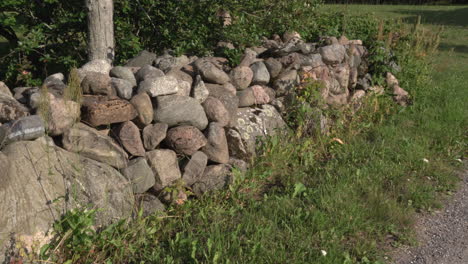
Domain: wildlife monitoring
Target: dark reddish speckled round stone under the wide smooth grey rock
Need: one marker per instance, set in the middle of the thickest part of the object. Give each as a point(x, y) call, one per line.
point(185, 139)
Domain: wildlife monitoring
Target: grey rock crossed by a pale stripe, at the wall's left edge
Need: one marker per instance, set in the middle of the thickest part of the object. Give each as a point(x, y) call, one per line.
point(24, 128)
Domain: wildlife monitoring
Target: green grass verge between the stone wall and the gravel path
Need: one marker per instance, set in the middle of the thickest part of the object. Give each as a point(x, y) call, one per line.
point(314, 200)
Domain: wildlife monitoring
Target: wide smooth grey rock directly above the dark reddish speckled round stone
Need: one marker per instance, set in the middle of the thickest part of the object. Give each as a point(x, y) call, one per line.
point(180, 110)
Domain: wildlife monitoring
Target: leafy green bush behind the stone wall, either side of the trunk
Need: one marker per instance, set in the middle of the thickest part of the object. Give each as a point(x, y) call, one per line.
point(53, 33)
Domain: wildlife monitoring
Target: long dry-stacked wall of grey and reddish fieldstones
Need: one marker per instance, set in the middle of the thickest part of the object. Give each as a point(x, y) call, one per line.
point(157, 122)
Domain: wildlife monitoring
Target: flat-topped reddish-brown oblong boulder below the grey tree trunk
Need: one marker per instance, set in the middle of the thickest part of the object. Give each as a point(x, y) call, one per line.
point(98, 110)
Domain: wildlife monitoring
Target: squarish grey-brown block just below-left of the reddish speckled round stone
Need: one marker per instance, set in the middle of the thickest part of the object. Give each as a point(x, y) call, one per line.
point(165, 167)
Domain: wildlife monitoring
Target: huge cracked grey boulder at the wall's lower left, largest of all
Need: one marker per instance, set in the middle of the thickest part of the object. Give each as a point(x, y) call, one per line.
point(40, 182)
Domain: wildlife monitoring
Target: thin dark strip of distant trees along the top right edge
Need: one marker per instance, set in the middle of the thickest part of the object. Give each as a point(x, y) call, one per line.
point(398, 2)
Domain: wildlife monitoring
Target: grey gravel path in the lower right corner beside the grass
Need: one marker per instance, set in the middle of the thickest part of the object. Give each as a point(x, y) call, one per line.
point(443, 236)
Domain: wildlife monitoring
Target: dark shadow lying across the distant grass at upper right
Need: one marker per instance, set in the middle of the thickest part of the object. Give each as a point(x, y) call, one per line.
point(455, 17)
